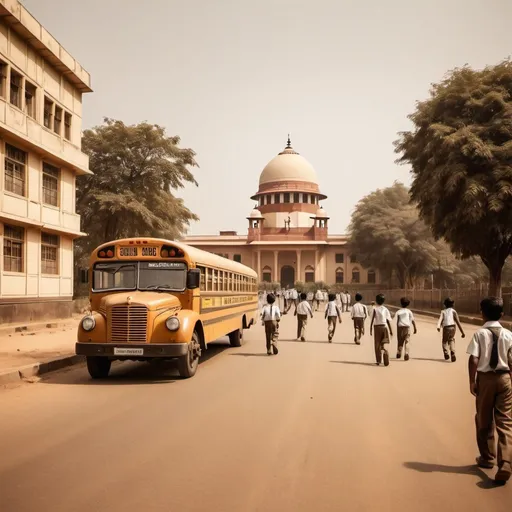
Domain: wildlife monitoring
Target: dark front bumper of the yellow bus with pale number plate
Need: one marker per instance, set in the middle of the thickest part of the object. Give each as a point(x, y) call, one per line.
point(132, 350)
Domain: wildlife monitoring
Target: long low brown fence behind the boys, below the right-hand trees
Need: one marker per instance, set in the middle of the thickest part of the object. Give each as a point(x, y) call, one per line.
point(466, 300)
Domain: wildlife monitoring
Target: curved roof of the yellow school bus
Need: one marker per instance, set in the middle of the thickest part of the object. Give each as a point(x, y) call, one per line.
point(198, 255)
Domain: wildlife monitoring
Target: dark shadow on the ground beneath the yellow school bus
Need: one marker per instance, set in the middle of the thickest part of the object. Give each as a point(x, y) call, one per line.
point(131, 372)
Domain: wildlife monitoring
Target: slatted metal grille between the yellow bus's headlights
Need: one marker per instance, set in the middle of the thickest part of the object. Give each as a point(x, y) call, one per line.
point(128, 324)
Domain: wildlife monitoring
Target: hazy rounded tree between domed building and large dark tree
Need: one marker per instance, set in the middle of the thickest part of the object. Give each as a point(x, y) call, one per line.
point(387, 233)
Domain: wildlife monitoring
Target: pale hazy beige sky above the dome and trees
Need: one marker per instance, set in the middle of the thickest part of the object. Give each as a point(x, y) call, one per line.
point(233, 77)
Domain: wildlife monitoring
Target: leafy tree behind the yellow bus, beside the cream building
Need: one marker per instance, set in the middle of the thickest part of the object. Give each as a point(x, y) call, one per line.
point(135, 169)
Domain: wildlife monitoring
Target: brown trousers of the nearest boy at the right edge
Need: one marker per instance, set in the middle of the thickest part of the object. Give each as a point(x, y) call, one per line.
point(494, 412)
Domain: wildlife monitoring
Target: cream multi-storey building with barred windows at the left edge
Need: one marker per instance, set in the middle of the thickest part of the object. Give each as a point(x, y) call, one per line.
point(41, 87)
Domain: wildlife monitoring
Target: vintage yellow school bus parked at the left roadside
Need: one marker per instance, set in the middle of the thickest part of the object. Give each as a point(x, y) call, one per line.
point(158, 299)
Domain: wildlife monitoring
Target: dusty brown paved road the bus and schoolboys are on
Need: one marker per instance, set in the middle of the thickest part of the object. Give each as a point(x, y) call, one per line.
point(316, 428)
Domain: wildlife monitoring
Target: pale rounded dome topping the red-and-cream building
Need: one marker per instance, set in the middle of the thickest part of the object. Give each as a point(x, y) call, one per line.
point(288, 166)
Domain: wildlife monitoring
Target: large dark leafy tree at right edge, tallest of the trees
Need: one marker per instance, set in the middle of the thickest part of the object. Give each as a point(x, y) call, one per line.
point(460, 152)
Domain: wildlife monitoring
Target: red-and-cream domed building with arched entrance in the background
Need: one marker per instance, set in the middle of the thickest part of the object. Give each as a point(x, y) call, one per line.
point(288, 236)
